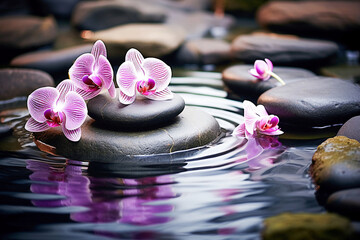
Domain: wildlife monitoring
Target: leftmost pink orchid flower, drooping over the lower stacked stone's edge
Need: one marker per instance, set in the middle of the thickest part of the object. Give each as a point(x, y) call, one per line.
point(61, 106)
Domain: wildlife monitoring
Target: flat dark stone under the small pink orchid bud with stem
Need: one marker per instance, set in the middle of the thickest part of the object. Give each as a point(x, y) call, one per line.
point(239, 81)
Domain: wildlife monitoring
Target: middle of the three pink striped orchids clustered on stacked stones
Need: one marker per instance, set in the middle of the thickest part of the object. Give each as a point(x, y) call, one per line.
point(92, 72)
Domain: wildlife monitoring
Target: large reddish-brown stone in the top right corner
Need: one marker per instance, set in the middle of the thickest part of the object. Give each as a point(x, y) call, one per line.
point(336, 20)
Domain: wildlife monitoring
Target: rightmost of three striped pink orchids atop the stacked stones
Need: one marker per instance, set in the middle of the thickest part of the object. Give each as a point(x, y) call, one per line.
point(149, 77)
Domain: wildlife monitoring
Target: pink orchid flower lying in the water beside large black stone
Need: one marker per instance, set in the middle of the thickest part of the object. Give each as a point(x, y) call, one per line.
point(257, 121)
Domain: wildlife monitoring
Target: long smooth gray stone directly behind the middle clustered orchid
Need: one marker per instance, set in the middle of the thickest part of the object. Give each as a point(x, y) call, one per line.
point(54, 62)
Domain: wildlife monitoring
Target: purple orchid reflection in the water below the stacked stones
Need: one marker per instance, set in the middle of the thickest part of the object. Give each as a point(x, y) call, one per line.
point(107, 199)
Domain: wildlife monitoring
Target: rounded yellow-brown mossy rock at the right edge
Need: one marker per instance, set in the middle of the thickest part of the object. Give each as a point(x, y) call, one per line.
point(336, 164)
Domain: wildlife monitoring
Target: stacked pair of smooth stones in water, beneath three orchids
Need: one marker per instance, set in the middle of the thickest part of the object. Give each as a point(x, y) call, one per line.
point(117, 132)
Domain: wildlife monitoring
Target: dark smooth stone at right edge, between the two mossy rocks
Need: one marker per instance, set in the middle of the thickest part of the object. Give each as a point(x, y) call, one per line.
point(345, 202)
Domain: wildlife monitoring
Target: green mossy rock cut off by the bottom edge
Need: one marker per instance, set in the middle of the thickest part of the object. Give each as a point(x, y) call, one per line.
point(307, 226)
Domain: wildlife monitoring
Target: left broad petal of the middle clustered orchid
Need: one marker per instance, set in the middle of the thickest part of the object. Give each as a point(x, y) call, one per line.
point(82, 66)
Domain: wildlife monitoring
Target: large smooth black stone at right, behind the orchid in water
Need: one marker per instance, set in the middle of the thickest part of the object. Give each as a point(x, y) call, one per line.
point(317, 101)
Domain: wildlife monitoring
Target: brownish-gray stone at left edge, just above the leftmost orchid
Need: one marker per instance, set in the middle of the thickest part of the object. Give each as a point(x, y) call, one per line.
point(17, 82)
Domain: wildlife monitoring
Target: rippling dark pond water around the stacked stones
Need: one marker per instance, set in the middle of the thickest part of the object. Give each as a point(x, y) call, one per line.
point(220, 191)
